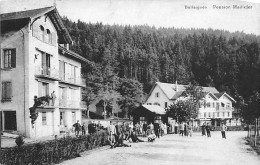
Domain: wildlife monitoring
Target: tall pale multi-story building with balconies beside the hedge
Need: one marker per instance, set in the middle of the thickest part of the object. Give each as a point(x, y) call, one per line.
point(36, 61)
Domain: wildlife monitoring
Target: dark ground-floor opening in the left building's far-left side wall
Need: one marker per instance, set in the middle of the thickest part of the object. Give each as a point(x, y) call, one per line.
point(10, 120)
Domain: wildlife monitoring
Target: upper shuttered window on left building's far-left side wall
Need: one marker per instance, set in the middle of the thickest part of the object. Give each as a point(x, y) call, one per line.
point(9, 58)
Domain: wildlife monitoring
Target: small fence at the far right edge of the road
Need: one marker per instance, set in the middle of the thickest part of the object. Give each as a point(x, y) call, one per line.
point(253, 134)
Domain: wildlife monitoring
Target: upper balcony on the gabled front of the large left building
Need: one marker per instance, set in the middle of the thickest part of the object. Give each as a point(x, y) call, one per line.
point(46, 72)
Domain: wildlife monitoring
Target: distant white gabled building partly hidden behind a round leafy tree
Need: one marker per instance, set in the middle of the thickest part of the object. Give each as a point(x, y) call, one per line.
point(214, 107)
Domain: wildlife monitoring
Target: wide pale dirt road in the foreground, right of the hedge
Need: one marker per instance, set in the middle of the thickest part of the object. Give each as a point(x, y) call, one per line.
point(177, 150)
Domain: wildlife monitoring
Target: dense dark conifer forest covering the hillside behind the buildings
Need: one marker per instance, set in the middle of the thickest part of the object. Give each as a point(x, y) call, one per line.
point(144, 54)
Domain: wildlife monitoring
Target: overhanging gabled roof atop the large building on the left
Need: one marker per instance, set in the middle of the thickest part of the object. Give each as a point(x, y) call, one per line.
point(34, 14)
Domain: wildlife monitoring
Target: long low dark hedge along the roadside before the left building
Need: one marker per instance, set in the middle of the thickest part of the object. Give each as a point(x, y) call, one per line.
point(54, 151)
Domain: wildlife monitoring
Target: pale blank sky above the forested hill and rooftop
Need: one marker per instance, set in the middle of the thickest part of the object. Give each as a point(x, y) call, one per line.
point(158, 13)
